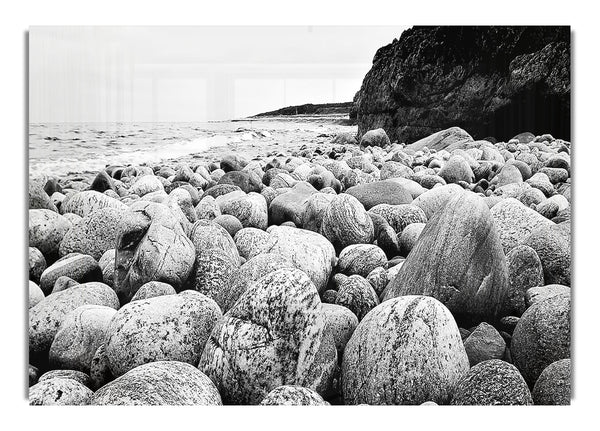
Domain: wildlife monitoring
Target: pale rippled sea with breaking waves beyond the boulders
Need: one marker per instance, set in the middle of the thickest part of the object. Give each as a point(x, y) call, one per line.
point(63, 149)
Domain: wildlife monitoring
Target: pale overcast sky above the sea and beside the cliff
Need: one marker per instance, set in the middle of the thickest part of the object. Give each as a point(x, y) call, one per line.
point(123, 74)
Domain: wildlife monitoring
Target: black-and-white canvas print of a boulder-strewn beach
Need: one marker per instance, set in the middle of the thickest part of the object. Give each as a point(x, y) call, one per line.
point(300, 215)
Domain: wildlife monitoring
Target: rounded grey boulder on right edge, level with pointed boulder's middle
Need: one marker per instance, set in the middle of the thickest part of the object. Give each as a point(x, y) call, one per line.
point(552, 243)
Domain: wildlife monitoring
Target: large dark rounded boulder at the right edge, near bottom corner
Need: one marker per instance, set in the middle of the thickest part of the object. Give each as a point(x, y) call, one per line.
point(542, 336)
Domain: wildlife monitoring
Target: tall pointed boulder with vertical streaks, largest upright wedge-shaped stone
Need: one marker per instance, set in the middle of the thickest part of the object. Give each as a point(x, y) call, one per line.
point(472, 288)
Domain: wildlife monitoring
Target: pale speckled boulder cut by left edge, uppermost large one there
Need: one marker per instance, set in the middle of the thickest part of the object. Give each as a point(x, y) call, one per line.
point(46, 230)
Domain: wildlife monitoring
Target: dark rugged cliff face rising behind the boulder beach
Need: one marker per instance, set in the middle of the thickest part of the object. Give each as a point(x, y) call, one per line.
point(490, 81)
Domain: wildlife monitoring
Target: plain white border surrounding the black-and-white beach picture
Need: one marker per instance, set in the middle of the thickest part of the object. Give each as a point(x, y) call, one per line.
point(18, 16)
